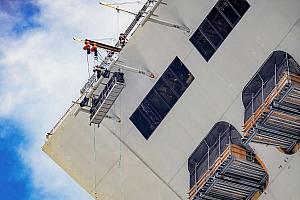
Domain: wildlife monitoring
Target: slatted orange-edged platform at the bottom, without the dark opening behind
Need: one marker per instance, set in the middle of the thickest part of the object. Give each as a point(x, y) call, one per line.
point(237, 177)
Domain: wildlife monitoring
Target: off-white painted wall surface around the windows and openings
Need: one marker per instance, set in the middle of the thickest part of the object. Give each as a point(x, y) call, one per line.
point(157, 168)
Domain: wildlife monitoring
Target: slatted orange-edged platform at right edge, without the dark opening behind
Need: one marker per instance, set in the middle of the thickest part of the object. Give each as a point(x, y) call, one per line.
point(277, 122)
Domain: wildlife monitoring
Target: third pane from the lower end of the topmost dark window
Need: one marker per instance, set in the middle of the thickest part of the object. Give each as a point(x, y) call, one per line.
point(219, 22)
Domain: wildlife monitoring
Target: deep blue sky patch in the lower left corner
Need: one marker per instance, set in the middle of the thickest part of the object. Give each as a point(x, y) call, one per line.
point(14, 176)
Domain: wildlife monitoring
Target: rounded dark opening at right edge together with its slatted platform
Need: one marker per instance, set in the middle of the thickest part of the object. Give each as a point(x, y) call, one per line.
point(272, 104)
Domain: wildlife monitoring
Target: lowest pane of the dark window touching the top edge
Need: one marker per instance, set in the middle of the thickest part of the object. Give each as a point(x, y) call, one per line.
point(202, 45)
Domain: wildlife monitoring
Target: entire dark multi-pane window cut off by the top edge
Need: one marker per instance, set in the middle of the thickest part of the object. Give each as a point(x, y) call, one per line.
point(217, 25)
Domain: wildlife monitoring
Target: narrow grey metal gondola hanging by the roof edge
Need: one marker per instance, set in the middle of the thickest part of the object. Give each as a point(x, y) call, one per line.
point(102, 104)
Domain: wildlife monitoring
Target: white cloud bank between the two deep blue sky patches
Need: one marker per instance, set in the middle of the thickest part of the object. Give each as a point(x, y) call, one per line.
point(42, 71)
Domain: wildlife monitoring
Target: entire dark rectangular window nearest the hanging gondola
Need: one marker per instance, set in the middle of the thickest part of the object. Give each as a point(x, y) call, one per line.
point(161, 98)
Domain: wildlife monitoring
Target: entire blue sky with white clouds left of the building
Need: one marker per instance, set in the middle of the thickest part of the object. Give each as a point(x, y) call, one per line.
point(41, 73)
